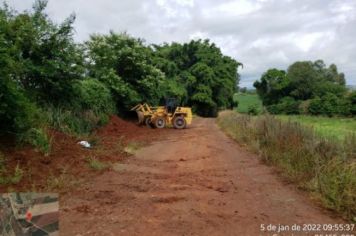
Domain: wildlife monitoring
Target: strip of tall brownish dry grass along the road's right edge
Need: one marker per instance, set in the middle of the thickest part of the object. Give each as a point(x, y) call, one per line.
point(320, 165)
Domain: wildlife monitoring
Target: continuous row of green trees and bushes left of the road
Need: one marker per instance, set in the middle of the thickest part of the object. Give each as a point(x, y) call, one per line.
point(49, 80)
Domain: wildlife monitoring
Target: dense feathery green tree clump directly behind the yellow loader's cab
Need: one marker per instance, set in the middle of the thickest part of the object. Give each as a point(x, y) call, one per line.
point(206, 79)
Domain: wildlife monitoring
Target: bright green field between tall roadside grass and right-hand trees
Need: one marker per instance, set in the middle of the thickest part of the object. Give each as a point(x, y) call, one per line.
point(331, 127)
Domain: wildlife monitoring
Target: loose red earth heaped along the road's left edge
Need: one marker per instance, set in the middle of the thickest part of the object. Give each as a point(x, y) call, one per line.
point(69, 159)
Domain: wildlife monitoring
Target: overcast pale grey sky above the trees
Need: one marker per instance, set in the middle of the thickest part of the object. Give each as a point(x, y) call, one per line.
point(259, 33)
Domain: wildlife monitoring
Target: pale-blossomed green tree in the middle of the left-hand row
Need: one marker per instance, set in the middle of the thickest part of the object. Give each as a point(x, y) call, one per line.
point(124, 64)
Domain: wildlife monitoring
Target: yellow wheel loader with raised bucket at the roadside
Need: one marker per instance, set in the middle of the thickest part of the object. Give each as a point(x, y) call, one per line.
point(163, 116)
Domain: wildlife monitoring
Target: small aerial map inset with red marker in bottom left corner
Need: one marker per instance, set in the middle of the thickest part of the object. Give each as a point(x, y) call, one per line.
point(27, 214)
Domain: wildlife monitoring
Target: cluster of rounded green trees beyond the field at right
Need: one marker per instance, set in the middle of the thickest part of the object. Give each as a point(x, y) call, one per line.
point(306, 88)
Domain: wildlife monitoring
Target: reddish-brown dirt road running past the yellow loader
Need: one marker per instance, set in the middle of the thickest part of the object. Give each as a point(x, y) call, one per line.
point(195, 182)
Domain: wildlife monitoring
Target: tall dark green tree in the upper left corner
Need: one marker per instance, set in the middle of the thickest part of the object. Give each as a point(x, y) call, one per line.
point(45, 59)
